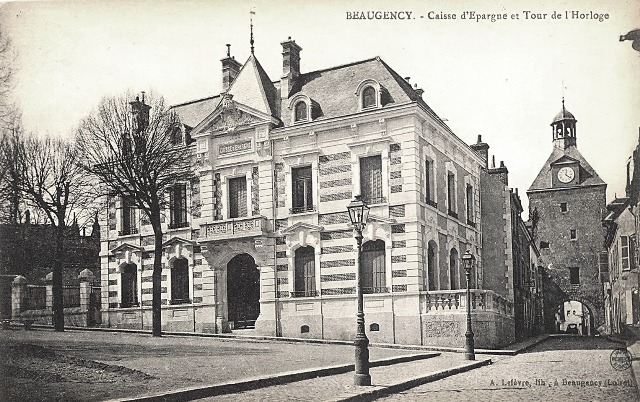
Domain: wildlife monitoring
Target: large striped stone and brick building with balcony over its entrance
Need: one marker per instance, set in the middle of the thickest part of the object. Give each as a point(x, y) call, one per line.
point(261, 238)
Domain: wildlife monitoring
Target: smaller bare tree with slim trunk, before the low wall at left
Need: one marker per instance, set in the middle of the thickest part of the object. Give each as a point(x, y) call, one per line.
point(50, 179)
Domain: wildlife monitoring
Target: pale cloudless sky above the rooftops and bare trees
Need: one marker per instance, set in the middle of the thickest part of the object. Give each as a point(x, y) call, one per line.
point(503, 80)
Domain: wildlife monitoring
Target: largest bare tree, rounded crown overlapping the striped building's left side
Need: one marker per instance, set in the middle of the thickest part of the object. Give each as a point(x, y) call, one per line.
point(131, 148)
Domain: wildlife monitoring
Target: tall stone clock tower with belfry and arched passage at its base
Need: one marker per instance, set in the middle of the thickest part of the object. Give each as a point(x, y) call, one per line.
point(566, 201)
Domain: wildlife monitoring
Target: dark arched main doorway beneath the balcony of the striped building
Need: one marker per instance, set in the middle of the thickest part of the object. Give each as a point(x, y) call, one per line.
point(243, 291)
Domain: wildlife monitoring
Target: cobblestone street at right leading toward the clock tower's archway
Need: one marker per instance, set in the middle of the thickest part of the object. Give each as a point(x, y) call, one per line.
point(560, 369)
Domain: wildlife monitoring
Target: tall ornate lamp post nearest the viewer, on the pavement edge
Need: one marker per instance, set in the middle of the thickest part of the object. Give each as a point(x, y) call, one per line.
point(359, 213)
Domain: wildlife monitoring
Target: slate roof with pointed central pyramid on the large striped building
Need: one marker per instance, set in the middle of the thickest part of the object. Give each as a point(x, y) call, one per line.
point(333, 91)
